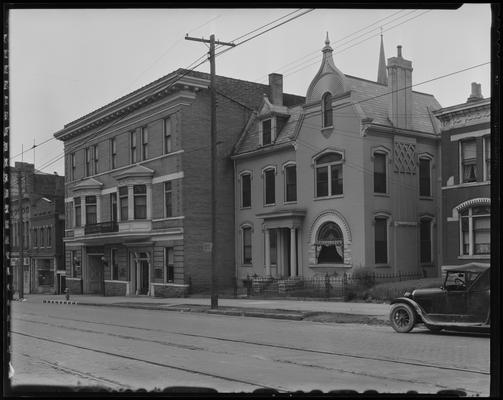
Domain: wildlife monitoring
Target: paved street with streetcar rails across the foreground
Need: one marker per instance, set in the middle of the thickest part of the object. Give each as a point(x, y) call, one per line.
point(124, 348)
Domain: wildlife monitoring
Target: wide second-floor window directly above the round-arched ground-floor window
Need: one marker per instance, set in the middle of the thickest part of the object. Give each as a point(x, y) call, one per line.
point(329, 175)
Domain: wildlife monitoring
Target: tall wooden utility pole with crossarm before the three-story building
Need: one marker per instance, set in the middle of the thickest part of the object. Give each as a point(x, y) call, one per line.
point(213, 96)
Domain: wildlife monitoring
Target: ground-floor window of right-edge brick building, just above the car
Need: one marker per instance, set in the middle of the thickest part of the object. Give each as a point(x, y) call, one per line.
point(476, 230)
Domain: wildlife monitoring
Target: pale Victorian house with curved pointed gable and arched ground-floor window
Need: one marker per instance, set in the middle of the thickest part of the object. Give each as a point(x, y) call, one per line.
point(345, 180)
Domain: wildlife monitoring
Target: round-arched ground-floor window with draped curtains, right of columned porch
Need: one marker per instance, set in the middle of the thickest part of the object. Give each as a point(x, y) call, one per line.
point(330, 244)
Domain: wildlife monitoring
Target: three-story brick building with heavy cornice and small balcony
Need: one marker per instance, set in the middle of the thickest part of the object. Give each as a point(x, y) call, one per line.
point(137, 192)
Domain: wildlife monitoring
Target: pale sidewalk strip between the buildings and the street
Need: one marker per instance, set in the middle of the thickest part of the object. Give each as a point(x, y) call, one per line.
point(326, 311)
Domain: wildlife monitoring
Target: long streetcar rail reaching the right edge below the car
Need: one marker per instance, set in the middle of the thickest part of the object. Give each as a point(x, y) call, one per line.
point(279, 346)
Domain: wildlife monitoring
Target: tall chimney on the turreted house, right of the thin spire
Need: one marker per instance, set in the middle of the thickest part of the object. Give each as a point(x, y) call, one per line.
point(399, 83)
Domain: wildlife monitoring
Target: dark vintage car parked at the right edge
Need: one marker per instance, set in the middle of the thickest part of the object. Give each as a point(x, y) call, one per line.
point(462, 303)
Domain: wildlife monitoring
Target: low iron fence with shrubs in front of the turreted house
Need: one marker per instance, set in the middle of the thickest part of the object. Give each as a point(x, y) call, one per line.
point(321, 285)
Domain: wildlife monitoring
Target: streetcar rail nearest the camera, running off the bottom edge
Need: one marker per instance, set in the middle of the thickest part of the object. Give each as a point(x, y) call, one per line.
point(157, 364)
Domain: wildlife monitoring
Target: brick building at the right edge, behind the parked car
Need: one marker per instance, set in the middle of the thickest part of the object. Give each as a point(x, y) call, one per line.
point(466, 179)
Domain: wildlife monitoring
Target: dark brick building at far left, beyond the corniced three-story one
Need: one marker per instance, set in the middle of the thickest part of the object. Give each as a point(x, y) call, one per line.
point(42, 217)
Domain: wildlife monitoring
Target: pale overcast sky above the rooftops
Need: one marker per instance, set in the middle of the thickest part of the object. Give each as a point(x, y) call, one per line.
point(64, 64)
